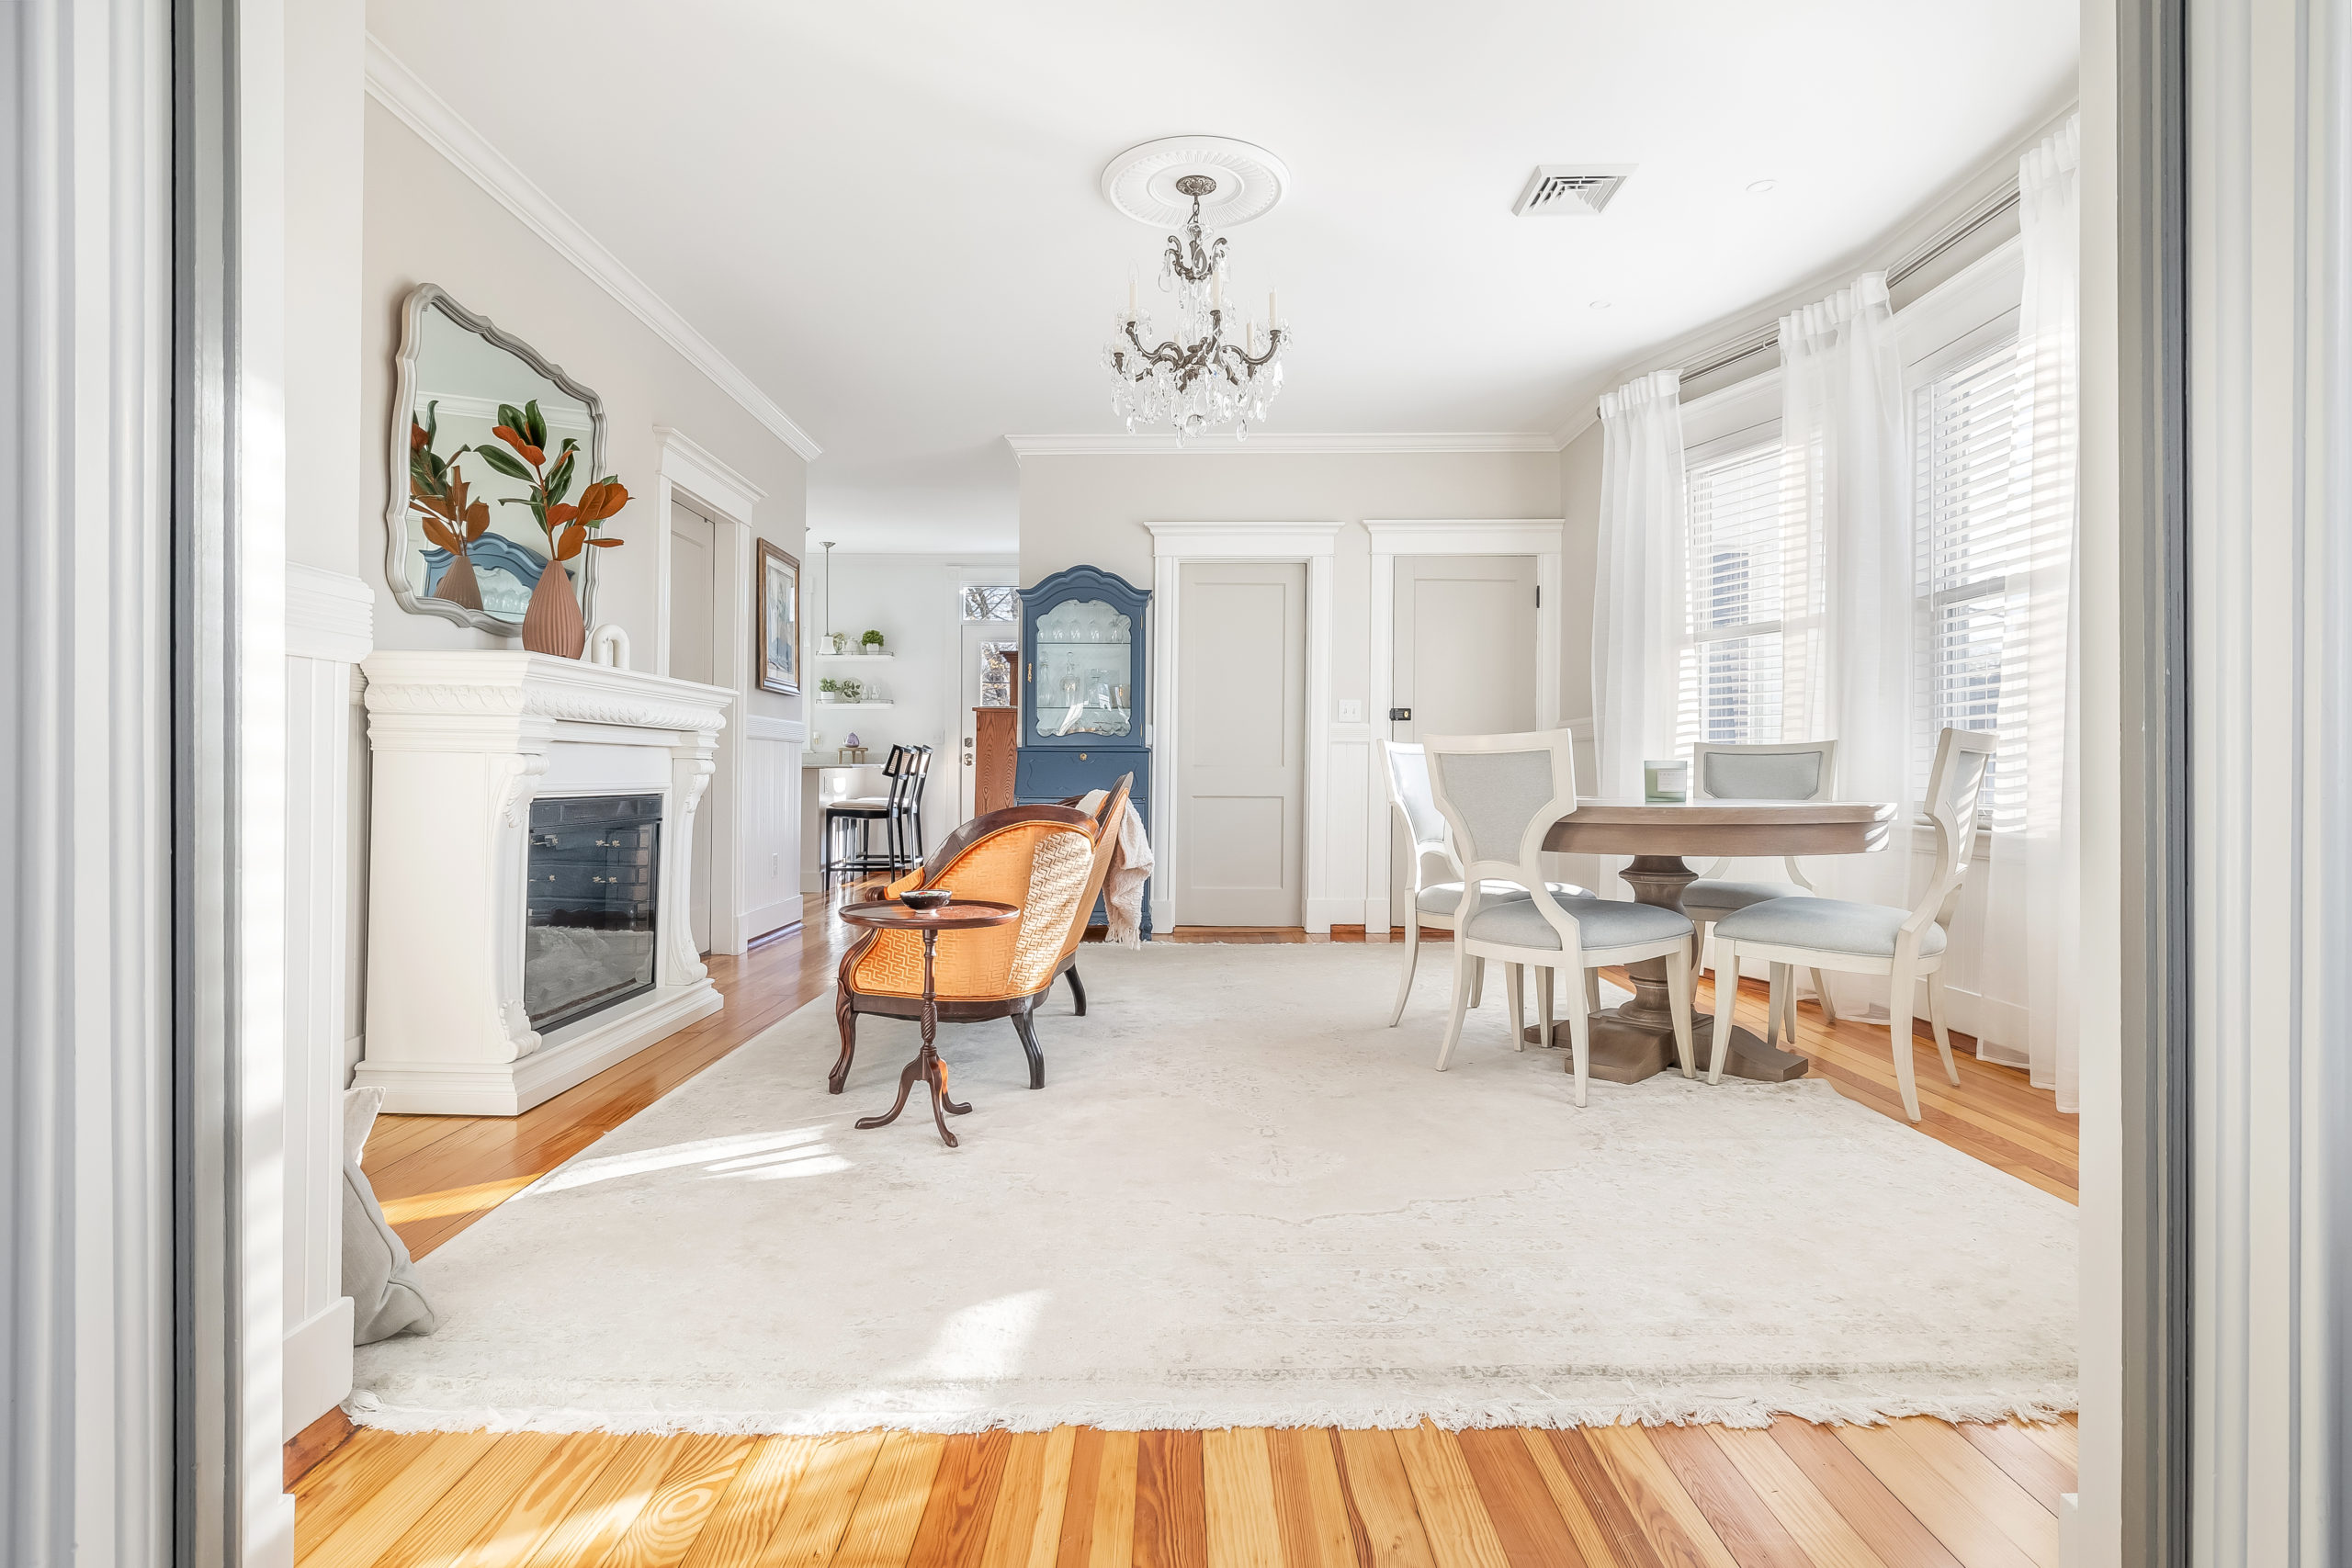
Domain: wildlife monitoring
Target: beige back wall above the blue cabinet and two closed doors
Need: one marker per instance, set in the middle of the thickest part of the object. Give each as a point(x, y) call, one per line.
point(1093, 511)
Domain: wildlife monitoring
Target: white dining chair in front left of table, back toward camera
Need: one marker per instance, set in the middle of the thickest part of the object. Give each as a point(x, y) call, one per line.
point(1499, 798)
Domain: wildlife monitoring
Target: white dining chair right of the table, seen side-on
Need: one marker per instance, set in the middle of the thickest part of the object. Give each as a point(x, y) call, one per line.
point(1873, 939)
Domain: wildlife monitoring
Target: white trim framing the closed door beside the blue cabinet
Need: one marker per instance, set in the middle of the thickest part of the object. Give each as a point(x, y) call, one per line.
point(1243, 542)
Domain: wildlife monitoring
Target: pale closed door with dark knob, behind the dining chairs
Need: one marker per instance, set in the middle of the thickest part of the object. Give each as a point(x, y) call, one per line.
point(1464, 659)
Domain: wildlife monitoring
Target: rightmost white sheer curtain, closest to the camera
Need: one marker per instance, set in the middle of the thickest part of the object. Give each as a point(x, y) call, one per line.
point(2033, 887)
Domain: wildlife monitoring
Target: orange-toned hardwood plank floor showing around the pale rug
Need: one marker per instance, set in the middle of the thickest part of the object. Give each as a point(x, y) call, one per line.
point(1793, 1496)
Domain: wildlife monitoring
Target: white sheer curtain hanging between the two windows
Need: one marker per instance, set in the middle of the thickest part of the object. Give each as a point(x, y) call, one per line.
point(1847, 467)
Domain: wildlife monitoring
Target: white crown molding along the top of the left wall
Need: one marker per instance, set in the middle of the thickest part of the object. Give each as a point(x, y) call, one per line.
point(450, 135)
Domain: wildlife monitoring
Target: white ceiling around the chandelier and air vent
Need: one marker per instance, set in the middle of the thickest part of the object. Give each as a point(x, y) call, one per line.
point(888, 210)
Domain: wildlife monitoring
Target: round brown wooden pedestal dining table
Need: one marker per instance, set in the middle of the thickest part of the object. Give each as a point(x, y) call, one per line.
point(1638, 1038)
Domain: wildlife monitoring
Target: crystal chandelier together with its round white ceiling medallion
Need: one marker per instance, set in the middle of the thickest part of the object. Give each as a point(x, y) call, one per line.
point(1215, 366)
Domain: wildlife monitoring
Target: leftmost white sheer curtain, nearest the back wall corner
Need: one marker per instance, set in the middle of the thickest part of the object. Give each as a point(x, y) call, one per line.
point(1641, 594)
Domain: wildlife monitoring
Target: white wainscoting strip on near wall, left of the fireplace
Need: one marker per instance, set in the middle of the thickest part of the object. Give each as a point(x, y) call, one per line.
point(330, 629)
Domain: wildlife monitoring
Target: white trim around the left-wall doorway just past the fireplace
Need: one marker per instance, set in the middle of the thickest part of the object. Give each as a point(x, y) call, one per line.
point(688, 471)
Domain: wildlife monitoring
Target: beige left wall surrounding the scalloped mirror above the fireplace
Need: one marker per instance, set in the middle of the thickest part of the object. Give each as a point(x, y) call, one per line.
point(432, 225)
